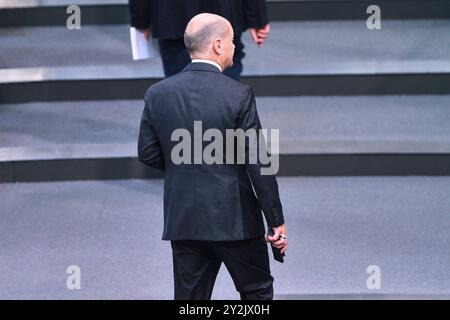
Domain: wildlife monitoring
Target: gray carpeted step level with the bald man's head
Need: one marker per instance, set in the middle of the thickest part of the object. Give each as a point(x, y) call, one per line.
point(292, 46)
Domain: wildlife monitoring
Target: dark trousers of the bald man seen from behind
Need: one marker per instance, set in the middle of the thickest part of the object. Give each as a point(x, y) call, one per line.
point(196, 265)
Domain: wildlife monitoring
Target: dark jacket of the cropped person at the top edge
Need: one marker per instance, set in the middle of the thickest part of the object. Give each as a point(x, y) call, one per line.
point(168, 18)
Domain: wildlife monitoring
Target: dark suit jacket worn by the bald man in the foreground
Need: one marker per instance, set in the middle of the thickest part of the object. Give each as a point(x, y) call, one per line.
point(213, 202)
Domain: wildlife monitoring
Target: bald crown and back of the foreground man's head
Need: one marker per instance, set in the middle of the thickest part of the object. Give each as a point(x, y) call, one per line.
point(202, 31)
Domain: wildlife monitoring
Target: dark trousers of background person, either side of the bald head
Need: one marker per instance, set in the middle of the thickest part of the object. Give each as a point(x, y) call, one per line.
point(175, 57)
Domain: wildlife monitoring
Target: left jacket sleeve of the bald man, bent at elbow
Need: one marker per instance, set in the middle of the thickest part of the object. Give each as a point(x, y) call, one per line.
point(149, 149)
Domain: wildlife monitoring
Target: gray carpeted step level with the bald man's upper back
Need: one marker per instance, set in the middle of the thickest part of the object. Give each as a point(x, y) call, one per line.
point(364, 119)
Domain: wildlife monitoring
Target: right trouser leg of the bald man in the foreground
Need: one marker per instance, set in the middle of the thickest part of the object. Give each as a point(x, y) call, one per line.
point(247, 262)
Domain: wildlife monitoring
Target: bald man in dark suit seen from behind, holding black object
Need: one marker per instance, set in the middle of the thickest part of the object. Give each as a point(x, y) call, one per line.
point(211, 212)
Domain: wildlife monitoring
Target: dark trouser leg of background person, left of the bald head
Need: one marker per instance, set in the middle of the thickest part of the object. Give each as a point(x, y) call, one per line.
point(174, 55)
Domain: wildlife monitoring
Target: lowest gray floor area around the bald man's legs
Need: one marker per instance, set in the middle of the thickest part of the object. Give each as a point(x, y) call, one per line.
point(337, 228)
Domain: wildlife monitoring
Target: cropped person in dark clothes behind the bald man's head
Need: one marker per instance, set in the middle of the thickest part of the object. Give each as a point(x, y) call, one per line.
point(167, 19)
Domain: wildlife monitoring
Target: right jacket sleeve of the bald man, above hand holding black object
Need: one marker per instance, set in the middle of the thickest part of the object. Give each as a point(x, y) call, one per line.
point(265, 186)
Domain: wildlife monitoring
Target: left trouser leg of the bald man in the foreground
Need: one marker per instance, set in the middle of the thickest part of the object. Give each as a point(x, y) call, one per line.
point(195, 270)
